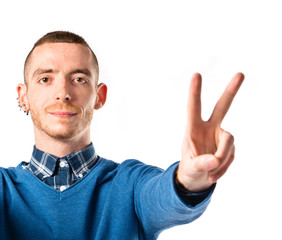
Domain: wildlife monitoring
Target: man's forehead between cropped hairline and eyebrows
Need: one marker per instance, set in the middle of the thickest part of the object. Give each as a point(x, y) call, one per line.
point(61, 57)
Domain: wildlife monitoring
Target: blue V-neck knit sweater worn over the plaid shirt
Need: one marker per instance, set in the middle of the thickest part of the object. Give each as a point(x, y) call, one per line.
point(123, 201)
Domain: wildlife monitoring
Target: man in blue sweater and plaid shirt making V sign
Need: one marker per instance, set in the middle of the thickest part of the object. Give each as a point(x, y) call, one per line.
point(66, 191)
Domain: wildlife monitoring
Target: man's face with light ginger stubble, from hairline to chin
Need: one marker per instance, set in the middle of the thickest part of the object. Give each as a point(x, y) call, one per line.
point(61, 89)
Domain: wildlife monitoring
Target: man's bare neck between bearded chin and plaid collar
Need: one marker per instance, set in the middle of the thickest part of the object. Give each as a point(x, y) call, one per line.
point(61, 147)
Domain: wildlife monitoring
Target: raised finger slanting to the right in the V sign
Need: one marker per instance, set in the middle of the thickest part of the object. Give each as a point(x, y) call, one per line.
point(223, 104)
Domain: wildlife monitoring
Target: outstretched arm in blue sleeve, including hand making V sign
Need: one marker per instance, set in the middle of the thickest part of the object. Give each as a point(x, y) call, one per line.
point(207, 152)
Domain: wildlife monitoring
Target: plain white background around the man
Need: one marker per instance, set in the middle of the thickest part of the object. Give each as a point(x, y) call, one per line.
point(148, 51)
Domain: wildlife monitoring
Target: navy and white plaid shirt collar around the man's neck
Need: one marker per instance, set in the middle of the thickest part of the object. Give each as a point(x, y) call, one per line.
point(43, 164)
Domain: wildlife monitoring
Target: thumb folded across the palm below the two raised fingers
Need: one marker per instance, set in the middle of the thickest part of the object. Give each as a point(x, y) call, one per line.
point(205, 163)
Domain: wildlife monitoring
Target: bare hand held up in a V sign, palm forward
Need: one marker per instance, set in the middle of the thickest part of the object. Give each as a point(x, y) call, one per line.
point(207, 149)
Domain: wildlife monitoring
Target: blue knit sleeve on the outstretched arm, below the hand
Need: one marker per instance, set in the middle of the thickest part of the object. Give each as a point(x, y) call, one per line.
point(159, 206)
